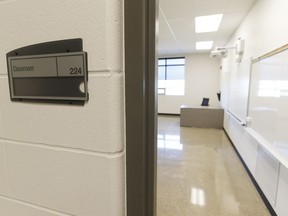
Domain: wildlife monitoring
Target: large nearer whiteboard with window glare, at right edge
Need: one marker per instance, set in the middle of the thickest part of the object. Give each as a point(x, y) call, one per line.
point(268, 103)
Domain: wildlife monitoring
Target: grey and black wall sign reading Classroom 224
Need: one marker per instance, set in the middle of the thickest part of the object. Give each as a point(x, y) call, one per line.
point(39, 75)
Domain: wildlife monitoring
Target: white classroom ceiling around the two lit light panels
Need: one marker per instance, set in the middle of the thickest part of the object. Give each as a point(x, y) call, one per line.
point(177, 26)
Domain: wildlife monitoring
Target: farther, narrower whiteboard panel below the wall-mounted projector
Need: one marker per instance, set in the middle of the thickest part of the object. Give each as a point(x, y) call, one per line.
point(239, 90)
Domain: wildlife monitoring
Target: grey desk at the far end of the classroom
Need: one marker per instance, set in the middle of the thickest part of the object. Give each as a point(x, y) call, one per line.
point(202, 117)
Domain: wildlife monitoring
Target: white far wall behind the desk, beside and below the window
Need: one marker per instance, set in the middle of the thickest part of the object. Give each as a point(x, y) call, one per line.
point(202, 75)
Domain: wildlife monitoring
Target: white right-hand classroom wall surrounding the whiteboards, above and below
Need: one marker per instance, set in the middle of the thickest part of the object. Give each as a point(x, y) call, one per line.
point(264, 30)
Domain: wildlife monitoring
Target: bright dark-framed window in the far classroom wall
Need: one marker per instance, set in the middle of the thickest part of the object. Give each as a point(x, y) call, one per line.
point(171, 76)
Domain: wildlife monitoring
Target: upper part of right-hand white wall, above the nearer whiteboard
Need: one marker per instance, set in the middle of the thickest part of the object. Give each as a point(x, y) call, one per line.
point(264, 28)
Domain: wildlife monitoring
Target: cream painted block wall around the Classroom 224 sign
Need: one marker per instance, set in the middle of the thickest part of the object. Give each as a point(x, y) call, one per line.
point(59, 159)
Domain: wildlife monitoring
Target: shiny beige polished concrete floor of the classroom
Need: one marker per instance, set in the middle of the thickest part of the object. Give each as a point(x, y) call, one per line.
point(200, 174)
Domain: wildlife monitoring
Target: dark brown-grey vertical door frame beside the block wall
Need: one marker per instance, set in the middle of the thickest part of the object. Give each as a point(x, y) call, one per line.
point(140, 20)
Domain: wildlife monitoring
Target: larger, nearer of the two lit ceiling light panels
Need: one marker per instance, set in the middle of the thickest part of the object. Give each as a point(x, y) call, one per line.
point(209, 23)
